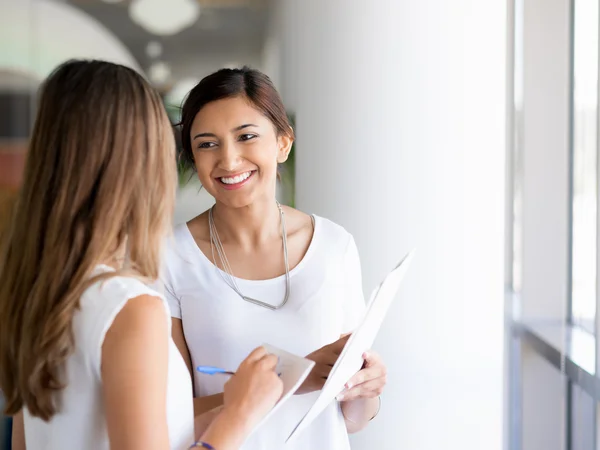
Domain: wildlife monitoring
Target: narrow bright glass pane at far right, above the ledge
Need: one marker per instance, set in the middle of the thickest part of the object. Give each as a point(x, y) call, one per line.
point(585, 119)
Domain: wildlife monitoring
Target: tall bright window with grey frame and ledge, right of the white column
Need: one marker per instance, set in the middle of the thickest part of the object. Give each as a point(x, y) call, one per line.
point(555, 382)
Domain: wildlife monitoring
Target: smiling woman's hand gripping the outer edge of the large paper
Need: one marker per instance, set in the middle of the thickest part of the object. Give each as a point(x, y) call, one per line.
point(368, 382)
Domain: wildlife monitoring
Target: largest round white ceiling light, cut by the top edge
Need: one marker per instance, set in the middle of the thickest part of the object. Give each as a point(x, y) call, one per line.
point(164, 18)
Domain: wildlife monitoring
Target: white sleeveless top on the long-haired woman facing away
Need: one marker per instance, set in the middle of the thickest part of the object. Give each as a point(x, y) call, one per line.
point(81, 422)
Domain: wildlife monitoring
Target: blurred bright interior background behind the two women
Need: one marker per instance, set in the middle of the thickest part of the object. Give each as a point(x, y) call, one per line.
point(466, 129)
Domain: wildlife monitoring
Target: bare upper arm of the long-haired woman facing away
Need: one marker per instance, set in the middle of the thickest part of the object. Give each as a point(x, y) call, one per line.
point(134, 376)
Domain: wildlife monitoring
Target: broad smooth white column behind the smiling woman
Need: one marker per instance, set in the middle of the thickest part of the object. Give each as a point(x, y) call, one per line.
point(400, 110)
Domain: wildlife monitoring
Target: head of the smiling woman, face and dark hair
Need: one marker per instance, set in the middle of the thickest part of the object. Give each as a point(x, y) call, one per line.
point(246, 113)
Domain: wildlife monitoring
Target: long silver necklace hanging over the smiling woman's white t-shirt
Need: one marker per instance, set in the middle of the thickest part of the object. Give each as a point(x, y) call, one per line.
point(227, 273)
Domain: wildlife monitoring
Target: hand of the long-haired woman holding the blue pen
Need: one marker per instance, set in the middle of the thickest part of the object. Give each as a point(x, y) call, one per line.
point(254, 389)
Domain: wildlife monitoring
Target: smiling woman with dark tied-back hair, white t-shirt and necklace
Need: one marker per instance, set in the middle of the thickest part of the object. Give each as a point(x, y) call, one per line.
point(250, 270)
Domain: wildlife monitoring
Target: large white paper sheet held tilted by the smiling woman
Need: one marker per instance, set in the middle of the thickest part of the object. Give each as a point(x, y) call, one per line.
point(350, 360)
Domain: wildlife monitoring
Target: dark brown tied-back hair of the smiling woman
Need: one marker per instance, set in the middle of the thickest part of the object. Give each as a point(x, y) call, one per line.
point(249, 83)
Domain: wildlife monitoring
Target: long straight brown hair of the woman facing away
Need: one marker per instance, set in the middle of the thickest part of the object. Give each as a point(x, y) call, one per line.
point(100, 175)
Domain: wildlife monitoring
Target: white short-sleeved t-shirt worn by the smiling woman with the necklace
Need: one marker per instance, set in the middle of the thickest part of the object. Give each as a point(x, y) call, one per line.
point(221, 329)
